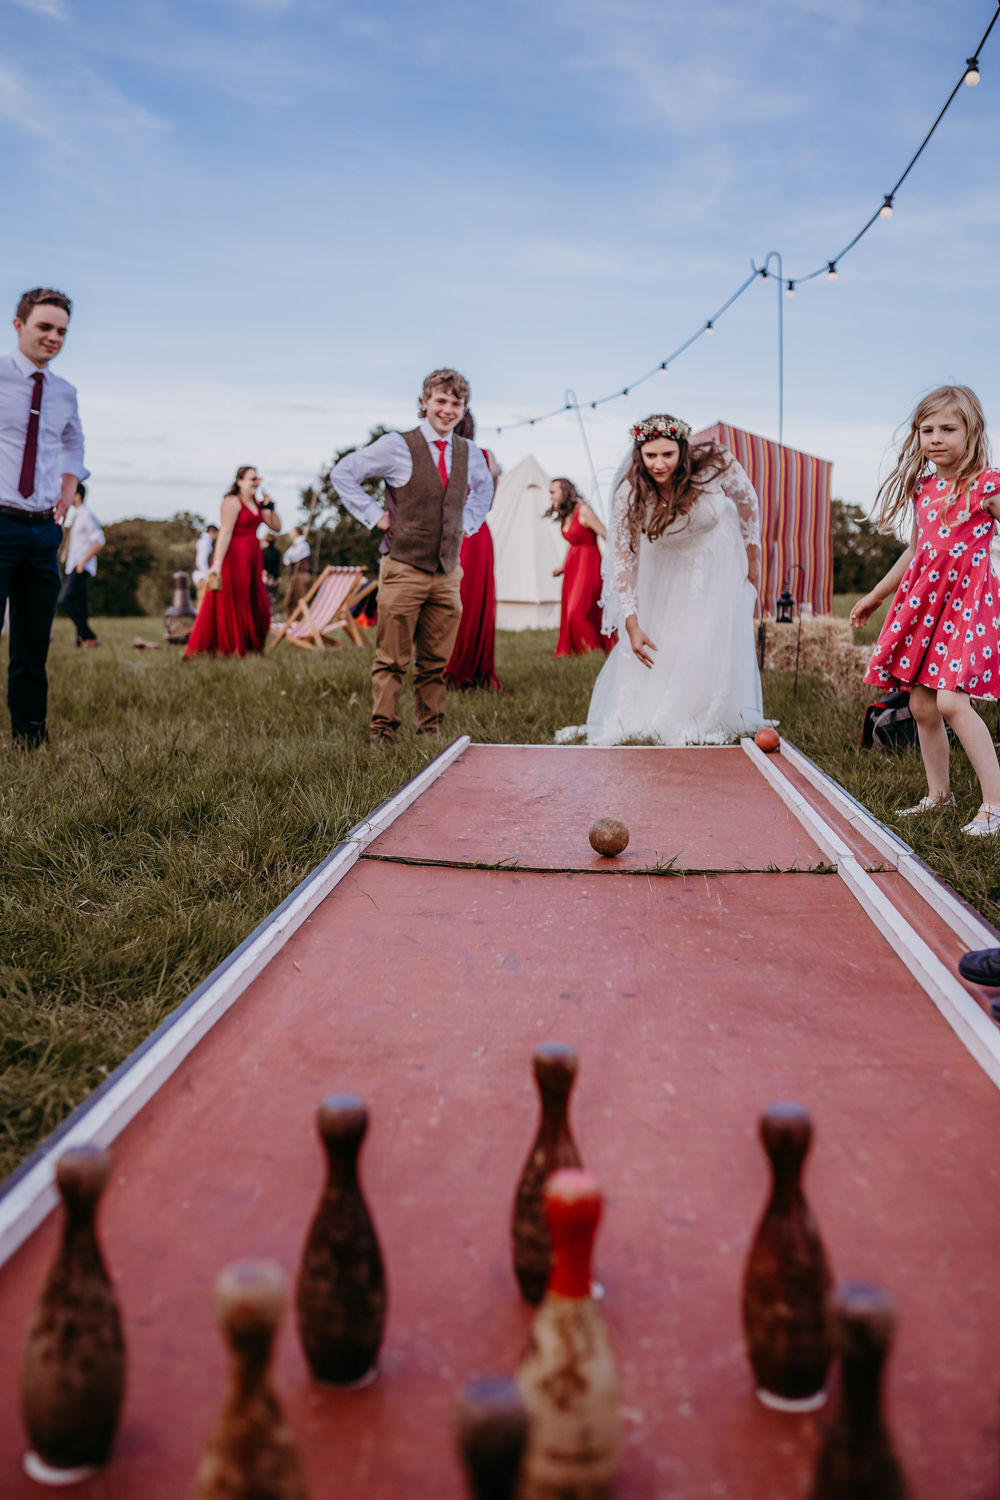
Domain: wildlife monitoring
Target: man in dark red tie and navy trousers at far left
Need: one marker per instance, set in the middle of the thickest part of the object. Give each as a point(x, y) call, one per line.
point(41, 466)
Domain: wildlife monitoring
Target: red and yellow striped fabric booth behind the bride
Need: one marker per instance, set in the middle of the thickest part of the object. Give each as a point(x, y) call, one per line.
point(795, 517)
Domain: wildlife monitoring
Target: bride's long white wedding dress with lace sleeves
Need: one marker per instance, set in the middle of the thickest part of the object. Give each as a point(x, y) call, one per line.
point(693, 599)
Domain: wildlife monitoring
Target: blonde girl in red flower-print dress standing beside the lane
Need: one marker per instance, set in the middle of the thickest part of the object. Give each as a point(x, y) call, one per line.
point(942, 637)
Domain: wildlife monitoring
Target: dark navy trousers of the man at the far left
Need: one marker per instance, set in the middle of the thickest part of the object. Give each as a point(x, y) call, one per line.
point(29, 580)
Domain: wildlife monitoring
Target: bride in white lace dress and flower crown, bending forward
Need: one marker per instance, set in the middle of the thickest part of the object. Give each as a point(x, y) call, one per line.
point(684, 559)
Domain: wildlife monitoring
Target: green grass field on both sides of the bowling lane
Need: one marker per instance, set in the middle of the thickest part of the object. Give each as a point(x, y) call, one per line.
point(181, 802)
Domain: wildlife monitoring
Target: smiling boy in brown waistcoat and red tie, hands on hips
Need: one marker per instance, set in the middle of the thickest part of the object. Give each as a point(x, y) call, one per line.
point(437, 491)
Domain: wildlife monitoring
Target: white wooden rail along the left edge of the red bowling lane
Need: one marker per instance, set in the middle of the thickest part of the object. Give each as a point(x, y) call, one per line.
point(34, 1195)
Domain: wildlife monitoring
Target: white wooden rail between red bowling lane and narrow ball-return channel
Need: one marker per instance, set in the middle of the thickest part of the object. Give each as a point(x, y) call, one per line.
point(960, 1010)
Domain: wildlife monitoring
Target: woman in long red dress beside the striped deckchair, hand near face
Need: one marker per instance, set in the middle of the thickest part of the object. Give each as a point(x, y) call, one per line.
point(235, 616)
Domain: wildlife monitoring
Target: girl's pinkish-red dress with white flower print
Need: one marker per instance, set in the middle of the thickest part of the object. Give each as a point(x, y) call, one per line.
point(944, 629)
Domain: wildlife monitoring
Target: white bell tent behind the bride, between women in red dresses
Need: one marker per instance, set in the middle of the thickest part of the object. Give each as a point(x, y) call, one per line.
point(527, 550)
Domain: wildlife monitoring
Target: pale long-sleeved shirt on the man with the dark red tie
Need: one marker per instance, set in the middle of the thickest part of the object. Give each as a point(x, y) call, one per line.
point(61, 439)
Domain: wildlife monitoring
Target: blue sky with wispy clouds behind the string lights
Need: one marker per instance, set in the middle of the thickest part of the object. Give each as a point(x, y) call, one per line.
point(277, 215)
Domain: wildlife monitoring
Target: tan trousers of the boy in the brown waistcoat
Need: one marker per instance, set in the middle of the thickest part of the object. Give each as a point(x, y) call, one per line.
point(418, 617)
